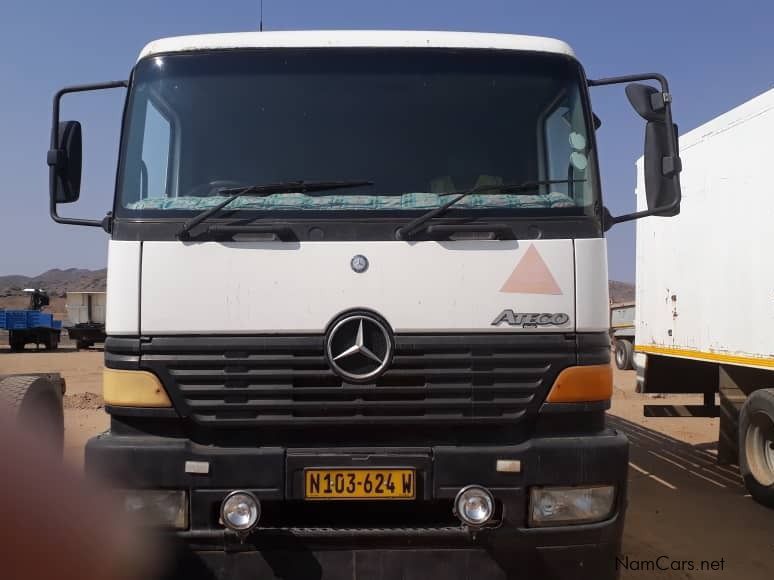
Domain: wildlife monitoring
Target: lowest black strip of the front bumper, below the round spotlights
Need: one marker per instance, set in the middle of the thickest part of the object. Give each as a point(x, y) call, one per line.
point(577, 562)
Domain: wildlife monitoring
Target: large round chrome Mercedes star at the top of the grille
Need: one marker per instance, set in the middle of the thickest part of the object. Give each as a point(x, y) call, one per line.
point(359, 348)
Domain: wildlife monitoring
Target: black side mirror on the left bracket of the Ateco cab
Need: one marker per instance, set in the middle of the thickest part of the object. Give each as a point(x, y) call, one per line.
point(65, 163)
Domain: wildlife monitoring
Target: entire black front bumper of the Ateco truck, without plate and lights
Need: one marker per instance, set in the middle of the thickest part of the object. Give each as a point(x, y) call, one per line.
point(289, 550)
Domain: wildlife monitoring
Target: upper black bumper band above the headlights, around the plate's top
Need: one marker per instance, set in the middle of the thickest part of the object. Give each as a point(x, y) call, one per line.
point(149, 461)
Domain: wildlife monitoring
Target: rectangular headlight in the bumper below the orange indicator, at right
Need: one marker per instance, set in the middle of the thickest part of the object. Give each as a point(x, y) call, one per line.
point(556, 506)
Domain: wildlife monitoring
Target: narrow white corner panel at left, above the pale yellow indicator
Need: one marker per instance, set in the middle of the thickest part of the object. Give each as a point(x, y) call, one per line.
point(123, 288)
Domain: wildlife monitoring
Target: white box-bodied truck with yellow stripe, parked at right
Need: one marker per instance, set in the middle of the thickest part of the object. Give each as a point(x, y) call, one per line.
point(705, 289)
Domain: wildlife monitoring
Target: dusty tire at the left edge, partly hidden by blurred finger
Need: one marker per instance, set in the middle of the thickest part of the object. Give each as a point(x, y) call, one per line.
point(36, 404)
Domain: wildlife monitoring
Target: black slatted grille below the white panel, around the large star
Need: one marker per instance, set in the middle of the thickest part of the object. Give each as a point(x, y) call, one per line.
point(272, 380)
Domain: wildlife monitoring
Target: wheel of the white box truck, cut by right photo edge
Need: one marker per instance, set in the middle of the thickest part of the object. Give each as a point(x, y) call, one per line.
point(756, 446)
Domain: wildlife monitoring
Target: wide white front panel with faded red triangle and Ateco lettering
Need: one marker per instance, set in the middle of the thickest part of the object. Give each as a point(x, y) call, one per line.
point(280, 287)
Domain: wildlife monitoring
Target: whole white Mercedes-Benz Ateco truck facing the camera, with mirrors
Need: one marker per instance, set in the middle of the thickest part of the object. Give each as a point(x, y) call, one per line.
point(357, 314)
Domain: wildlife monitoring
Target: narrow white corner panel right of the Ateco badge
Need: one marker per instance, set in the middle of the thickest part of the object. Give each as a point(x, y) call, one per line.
point(592, 300)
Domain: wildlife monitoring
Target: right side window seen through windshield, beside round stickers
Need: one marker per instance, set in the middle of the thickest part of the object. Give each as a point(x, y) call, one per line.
point(566, 152)
